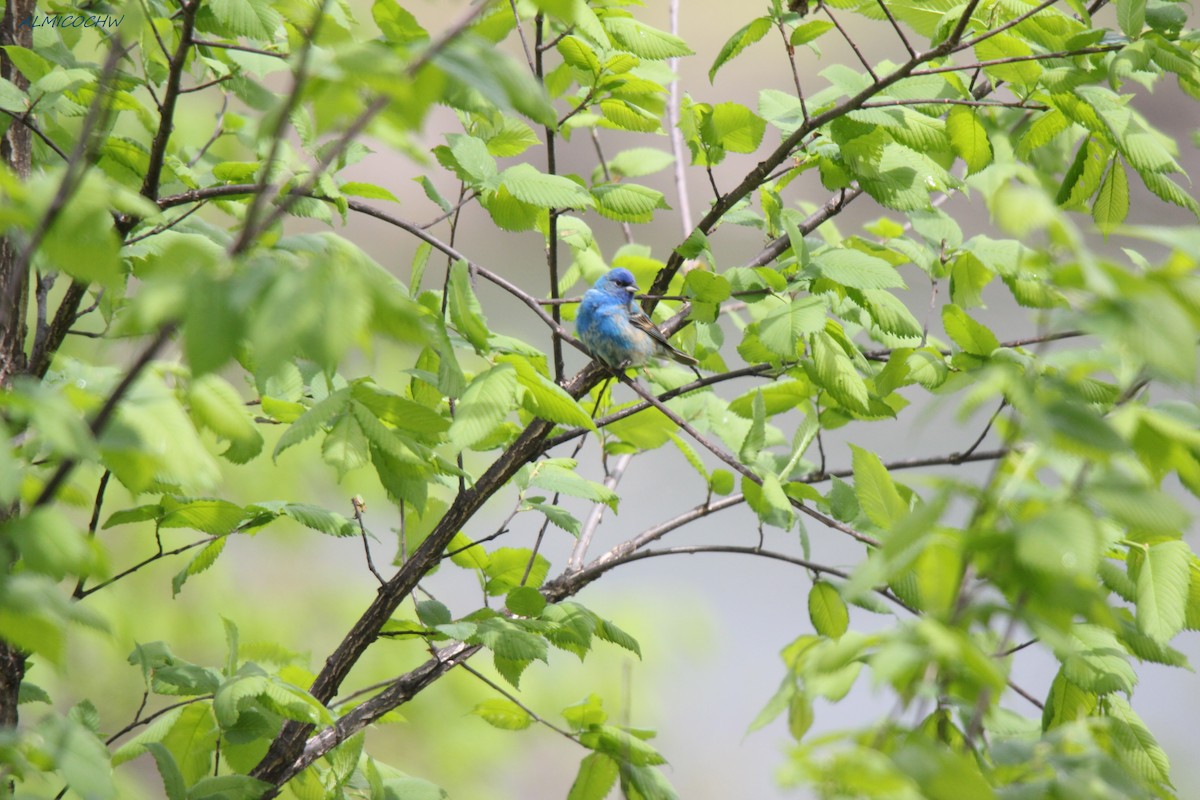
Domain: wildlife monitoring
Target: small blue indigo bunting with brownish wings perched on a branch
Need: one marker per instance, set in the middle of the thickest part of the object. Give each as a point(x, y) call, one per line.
point(616, 330)
